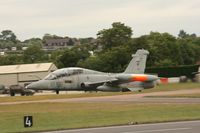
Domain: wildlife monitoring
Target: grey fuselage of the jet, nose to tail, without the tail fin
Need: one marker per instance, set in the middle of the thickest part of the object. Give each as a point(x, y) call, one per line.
point(77, 79)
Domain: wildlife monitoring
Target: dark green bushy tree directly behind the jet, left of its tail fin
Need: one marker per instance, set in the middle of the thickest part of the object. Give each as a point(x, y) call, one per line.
point(114, 60)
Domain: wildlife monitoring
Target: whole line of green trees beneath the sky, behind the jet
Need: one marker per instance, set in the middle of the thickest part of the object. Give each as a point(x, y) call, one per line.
point(111, 50)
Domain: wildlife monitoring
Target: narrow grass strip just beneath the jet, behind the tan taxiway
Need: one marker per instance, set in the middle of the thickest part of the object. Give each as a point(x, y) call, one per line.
point(162, 87)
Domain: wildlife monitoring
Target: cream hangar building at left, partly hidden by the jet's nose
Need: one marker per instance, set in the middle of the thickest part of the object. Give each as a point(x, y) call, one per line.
point(24, 73)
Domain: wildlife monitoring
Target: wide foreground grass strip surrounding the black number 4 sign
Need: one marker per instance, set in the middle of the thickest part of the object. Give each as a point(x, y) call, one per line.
point(52, 116)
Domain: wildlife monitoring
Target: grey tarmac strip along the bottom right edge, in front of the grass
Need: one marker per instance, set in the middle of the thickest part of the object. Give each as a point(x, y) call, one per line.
point(171, 127)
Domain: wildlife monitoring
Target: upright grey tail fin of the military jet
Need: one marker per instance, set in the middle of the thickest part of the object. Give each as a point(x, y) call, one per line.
point(138, 63)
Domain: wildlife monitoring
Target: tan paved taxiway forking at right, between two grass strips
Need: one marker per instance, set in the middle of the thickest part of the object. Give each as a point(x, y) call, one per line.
point(135, 98)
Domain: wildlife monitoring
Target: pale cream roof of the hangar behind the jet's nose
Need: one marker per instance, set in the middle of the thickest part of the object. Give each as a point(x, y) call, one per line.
point(24, 68)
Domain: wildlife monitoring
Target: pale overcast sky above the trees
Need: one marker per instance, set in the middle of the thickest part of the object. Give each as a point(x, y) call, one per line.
point(84, 18)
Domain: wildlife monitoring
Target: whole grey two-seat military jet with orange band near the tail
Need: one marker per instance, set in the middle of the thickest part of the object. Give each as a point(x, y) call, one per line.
point(80, 79)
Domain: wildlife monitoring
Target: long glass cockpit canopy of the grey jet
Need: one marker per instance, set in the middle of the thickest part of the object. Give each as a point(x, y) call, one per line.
point(63, 73)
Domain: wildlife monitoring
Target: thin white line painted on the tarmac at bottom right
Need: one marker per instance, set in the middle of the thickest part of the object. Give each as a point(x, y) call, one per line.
point(159, 130)
